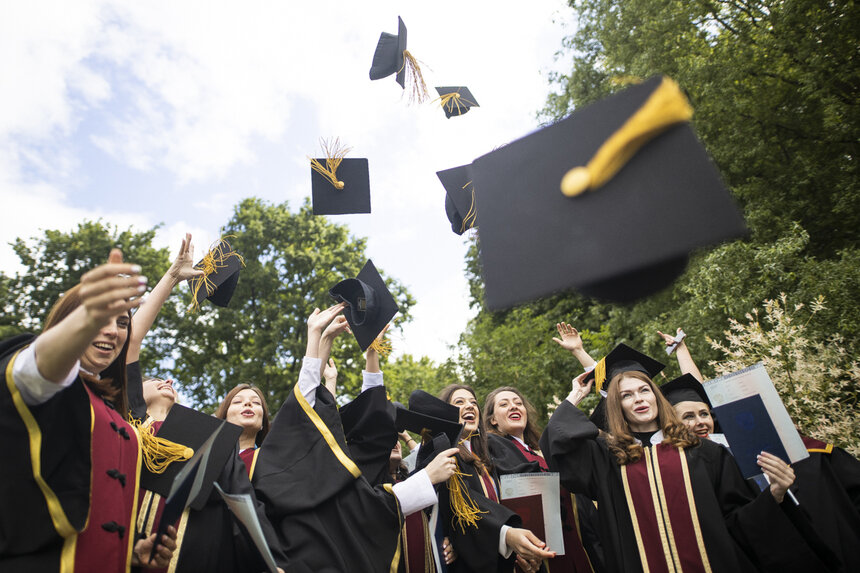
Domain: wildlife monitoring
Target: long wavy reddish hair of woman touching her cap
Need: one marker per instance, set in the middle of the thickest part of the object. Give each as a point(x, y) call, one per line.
point(620, 438)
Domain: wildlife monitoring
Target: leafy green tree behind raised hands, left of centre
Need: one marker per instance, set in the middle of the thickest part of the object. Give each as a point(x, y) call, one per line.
point(292, 259)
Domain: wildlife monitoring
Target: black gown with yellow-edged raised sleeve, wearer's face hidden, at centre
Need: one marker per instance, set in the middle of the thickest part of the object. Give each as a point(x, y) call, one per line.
point(326, 514)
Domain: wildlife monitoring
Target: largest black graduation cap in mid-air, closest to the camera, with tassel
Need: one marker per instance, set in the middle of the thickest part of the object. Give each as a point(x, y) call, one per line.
point(646, 208)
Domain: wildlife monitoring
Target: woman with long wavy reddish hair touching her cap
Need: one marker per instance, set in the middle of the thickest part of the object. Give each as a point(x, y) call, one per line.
point(668, 500)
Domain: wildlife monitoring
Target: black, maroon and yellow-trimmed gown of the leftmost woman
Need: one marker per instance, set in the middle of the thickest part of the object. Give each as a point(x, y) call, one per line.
point(68, 488)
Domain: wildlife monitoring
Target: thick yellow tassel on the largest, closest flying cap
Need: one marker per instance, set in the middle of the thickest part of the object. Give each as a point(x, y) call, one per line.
point(663, 109)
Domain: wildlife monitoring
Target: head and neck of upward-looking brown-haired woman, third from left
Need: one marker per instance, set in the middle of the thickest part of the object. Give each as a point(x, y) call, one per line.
point(246, 407)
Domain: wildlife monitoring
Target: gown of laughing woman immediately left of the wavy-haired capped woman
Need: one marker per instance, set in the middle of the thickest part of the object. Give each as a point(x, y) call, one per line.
point(511, 457)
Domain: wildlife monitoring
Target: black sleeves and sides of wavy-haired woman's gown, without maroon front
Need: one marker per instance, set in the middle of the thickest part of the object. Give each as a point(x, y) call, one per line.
point(729, 516)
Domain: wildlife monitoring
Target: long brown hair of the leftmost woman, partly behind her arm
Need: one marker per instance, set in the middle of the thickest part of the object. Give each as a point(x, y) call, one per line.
point(110, 383)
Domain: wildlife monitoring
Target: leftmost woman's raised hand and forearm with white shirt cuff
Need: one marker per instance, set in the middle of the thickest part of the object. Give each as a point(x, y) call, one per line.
point(105, 293)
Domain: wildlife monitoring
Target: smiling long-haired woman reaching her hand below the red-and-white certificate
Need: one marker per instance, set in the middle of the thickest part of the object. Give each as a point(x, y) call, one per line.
point(487, 545)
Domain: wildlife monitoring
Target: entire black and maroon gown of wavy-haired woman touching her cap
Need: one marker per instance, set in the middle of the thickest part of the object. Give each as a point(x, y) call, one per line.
point(722, 517)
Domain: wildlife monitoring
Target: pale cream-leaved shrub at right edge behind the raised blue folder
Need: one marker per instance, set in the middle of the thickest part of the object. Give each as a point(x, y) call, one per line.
point(816, 377)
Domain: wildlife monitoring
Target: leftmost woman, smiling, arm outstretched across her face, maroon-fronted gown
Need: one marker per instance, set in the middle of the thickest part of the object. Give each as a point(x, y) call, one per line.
point(68, 487)
